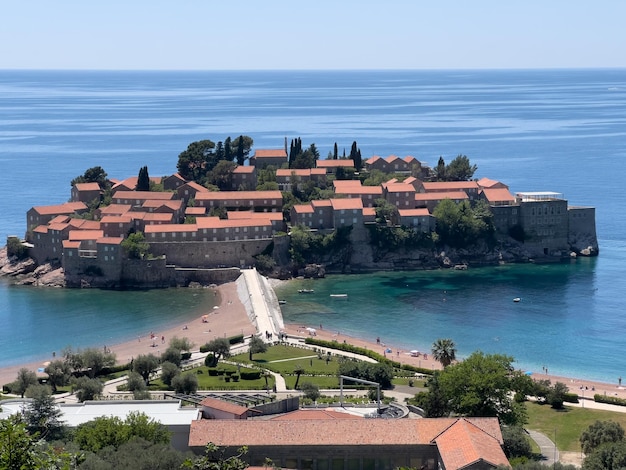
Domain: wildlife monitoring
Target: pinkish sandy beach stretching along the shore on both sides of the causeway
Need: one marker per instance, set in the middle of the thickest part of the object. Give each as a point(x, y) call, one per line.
point(231, 318)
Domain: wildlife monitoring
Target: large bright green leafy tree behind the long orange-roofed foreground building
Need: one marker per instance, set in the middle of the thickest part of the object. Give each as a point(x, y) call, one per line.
point(482, 386)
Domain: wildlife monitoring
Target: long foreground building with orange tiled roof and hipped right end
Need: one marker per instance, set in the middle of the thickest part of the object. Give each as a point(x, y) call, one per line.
point(299, 441)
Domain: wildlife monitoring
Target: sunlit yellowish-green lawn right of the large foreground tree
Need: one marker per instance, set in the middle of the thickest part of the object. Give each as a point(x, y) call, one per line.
point(568, 423)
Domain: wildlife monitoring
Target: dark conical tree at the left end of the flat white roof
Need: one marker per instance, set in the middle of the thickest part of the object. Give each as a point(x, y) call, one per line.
point(42, 415)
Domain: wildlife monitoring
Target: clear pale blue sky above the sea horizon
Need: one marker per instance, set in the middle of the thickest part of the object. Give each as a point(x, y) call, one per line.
point(315, 34)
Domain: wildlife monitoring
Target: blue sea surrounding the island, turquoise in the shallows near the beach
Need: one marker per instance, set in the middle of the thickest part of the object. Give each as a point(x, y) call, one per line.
point(535, 130)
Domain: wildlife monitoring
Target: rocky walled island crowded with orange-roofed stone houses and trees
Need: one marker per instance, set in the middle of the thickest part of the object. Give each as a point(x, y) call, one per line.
point(289, 213)
